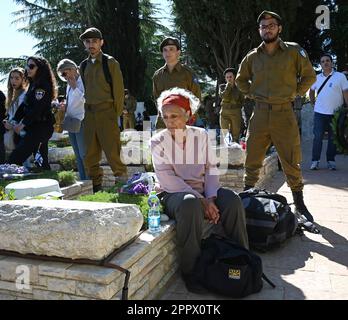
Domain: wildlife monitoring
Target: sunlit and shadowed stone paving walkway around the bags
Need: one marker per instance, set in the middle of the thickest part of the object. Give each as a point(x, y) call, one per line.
point(310, 266)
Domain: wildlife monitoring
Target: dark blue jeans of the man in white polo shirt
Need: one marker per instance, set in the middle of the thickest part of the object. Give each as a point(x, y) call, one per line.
point(322, 123)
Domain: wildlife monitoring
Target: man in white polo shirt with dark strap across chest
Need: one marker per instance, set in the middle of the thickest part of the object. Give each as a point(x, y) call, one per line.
point(327, 94)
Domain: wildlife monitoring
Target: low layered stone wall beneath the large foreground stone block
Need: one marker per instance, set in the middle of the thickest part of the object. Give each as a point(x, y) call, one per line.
point(152, 261)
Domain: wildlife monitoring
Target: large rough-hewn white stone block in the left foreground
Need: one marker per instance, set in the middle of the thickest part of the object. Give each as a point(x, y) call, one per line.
point(68, 229)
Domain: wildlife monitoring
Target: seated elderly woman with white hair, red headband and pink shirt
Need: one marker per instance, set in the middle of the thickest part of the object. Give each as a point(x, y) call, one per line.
point(185, 166)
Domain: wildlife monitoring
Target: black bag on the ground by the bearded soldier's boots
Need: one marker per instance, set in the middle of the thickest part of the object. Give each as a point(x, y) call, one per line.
point(269, 219)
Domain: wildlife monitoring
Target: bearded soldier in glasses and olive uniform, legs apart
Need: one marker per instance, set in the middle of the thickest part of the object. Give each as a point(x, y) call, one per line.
point(273, 75)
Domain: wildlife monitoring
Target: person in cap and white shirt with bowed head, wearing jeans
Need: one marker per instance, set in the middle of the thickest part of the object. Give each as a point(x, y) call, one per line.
point(74, 110)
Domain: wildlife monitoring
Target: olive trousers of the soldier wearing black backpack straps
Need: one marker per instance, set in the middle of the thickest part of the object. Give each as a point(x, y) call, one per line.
point(101, 133)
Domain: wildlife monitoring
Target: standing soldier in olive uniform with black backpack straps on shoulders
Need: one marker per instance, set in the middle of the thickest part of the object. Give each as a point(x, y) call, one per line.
point(104, 104)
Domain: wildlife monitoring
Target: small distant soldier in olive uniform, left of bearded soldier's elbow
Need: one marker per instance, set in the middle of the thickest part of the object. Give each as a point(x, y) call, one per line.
point(231, 105)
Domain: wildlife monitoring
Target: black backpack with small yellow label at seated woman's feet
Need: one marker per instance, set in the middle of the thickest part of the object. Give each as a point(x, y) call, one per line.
point(224, 267)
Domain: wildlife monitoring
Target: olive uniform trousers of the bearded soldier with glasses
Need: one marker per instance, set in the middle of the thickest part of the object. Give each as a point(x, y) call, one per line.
point(274, 124)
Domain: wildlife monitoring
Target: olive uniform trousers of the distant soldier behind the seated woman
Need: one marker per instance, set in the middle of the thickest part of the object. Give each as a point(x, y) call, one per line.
point(231, 118)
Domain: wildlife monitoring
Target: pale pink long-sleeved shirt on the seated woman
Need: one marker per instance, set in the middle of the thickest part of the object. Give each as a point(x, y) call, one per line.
point(189, 167)
